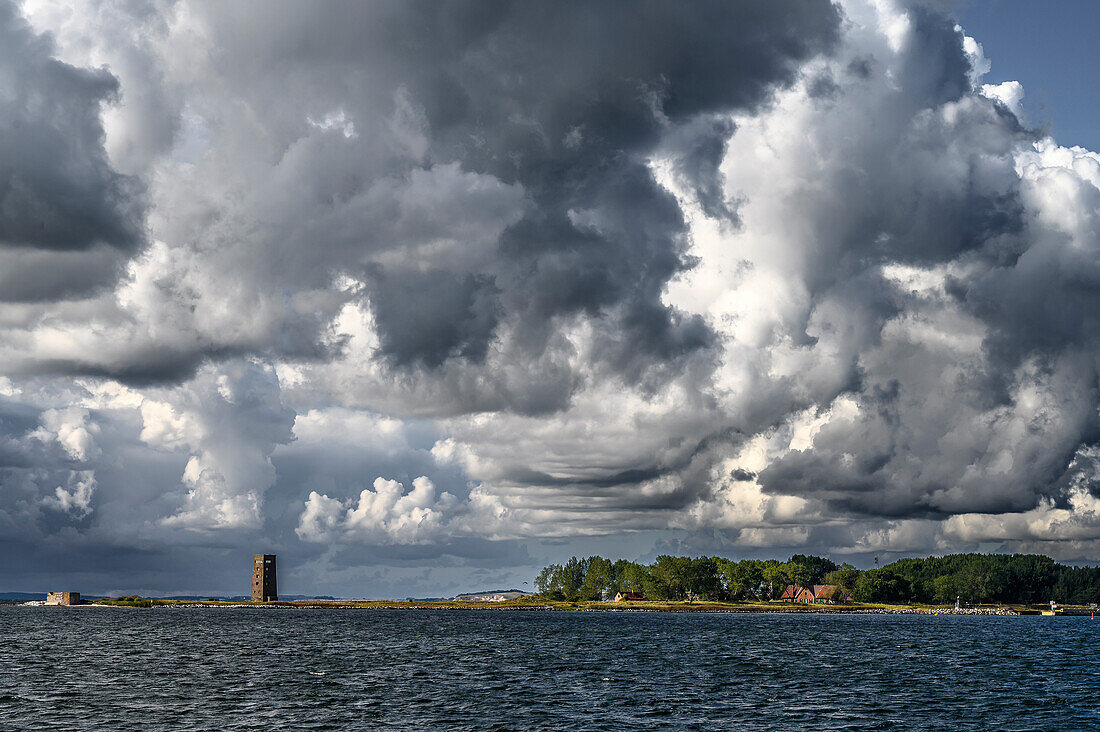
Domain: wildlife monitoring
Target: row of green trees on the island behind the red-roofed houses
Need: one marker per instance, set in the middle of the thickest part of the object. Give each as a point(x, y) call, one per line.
point(975, 578)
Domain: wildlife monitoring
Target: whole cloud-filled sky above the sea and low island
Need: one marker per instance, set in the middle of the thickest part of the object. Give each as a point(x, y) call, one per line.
point(422, 297)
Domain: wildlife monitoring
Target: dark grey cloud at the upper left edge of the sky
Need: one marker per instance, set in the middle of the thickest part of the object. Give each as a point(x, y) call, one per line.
point(59, 192)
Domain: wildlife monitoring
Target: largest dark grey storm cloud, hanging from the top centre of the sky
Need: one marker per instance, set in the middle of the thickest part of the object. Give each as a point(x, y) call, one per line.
point(567, 102)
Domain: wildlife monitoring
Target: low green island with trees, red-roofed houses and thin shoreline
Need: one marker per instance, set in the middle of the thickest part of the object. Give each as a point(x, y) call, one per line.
point(962, 584)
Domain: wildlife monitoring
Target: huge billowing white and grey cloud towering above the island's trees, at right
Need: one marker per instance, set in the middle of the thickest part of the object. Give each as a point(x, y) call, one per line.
point(809, 304)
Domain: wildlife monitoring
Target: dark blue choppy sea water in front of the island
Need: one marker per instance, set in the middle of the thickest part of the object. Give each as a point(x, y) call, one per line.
point(335, 670)
